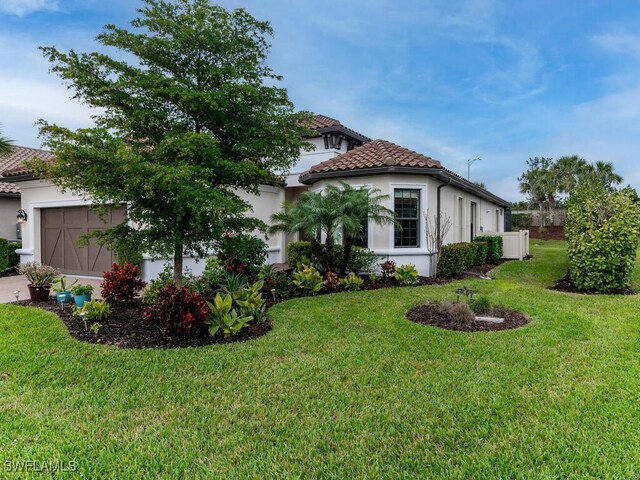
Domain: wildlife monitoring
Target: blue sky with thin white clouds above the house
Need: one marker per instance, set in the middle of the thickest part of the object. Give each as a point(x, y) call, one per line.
point(499, 80)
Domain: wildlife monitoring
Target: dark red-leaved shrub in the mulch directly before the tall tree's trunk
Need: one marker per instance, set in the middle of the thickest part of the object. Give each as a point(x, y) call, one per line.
point(176, 309)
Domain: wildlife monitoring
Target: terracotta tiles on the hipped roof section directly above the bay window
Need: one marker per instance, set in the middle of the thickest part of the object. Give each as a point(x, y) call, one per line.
point(378, 153)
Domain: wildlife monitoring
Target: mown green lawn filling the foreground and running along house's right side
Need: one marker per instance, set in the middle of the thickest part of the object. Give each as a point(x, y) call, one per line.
point(343, 387)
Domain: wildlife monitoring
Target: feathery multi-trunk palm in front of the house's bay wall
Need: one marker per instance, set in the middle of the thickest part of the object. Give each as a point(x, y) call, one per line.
point(338, 210)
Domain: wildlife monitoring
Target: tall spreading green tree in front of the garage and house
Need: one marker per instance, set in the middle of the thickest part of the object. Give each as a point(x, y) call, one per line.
point(188, 114)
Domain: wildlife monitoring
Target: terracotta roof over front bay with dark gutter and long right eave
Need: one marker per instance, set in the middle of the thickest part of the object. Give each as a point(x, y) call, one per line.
point(382, 156)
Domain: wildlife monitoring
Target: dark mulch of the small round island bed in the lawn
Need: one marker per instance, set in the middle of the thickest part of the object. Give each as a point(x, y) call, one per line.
point(429, 314)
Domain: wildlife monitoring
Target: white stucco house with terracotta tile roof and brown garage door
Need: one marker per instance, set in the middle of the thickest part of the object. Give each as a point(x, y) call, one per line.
point(417, 185)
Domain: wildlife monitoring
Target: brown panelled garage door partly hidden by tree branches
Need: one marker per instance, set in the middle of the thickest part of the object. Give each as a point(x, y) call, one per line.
point(60, 230)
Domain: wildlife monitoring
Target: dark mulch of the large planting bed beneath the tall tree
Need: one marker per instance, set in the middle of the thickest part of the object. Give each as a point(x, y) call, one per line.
point(125, 328)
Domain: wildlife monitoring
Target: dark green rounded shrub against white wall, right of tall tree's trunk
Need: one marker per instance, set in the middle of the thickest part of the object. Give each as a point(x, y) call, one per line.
point(242, 253)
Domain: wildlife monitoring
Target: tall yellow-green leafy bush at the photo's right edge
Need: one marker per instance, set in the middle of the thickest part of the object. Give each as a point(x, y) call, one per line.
point(602, 234)
